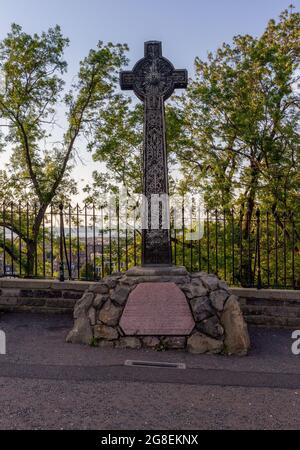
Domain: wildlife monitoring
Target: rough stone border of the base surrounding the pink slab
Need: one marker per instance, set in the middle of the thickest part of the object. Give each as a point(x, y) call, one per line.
point(219, 323)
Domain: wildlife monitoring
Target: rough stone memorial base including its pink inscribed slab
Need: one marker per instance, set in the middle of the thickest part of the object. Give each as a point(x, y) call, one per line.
point(161, 308)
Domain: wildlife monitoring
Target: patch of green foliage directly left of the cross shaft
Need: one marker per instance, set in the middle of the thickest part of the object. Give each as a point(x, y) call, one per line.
point(118, 143)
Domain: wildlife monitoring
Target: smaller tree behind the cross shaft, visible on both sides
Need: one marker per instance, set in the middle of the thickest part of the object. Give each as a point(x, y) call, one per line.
point(119, 145)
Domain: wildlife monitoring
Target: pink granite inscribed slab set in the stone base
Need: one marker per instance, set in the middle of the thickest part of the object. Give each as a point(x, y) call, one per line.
point(158, 309)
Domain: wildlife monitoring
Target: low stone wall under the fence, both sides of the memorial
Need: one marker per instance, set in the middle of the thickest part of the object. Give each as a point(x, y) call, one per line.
point(264, 307)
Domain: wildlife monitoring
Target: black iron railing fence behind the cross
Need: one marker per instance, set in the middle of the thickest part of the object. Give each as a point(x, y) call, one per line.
point(258, 249)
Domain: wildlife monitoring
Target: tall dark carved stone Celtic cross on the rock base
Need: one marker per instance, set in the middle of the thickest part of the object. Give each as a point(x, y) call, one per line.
point(153, 79)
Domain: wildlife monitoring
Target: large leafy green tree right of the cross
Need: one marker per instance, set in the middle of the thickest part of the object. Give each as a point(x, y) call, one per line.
point(241, 114)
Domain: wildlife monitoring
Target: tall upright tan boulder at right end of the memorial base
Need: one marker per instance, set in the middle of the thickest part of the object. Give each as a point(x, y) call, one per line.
point(237, 341)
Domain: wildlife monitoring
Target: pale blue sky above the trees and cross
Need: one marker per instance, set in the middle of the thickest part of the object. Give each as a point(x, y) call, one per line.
point(187, 28)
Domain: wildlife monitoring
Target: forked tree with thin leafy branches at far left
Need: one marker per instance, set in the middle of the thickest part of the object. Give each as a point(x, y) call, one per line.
point(33, 89)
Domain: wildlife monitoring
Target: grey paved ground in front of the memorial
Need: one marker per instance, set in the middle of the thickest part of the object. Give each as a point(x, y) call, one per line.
point(46, 383)
